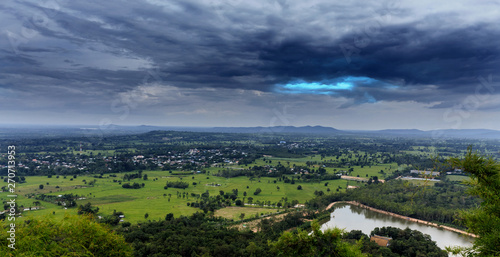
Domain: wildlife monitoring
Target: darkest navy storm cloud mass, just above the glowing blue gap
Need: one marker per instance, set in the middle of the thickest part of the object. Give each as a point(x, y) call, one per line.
point(451, 60)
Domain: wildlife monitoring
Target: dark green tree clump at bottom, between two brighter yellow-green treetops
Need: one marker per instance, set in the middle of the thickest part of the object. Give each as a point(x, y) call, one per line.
point(201, 236)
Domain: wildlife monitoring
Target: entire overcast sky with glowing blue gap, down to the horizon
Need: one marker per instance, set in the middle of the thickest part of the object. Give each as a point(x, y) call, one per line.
point(344, 64)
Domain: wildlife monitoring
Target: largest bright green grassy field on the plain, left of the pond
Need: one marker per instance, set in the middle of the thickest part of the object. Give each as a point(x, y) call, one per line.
point(153, 199)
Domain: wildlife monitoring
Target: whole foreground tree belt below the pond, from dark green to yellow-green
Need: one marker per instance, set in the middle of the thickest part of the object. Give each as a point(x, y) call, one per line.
point(199, 235)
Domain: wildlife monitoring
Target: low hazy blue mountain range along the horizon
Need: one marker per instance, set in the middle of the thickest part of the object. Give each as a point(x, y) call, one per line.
point(10, 131)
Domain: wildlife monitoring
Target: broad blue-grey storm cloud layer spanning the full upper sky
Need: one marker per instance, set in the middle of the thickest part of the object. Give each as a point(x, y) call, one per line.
point(116, 46)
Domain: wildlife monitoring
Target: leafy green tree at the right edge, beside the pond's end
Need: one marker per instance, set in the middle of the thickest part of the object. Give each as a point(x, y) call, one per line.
point(484, 221)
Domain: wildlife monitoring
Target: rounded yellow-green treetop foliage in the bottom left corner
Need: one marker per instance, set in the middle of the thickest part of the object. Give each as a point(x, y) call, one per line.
point(73, 236)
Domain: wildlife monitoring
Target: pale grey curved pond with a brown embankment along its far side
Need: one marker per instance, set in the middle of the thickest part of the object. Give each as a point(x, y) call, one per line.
point(352, 217)
